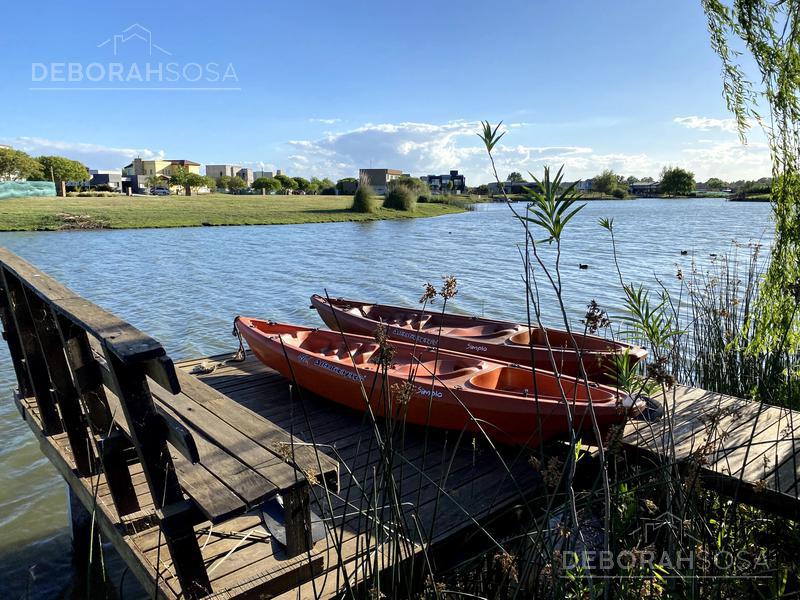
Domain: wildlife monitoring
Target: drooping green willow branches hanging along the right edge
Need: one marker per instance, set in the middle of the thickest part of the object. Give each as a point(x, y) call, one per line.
point(768, 30)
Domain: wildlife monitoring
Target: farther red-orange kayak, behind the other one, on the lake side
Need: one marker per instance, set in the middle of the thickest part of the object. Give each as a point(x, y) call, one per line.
point(495, 340)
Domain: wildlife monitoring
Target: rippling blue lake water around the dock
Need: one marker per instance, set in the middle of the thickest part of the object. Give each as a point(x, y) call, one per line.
point(185, 286)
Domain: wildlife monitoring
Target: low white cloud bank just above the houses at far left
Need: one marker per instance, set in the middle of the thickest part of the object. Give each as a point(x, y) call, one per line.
point(94, 156)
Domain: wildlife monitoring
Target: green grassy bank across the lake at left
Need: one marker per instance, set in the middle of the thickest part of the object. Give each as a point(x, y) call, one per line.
point(49, 214)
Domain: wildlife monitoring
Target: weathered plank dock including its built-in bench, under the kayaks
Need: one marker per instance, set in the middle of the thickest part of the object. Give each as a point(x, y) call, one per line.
point(216, 478)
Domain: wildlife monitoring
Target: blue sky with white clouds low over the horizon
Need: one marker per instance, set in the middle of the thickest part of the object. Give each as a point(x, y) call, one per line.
point(323, 88)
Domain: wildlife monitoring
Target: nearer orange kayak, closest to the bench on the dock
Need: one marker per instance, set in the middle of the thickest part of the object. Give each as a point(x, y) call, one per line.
point(513, 405)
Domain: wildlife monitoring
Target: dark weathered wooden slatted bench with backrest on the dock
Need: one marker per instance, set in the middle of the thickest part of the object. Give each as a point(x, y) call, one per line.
point(92, 376)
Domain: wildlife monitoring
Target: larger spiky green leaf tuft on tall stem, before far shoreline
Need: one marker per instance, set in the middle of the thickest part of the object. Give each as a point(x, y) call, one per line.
point(550, 206)
